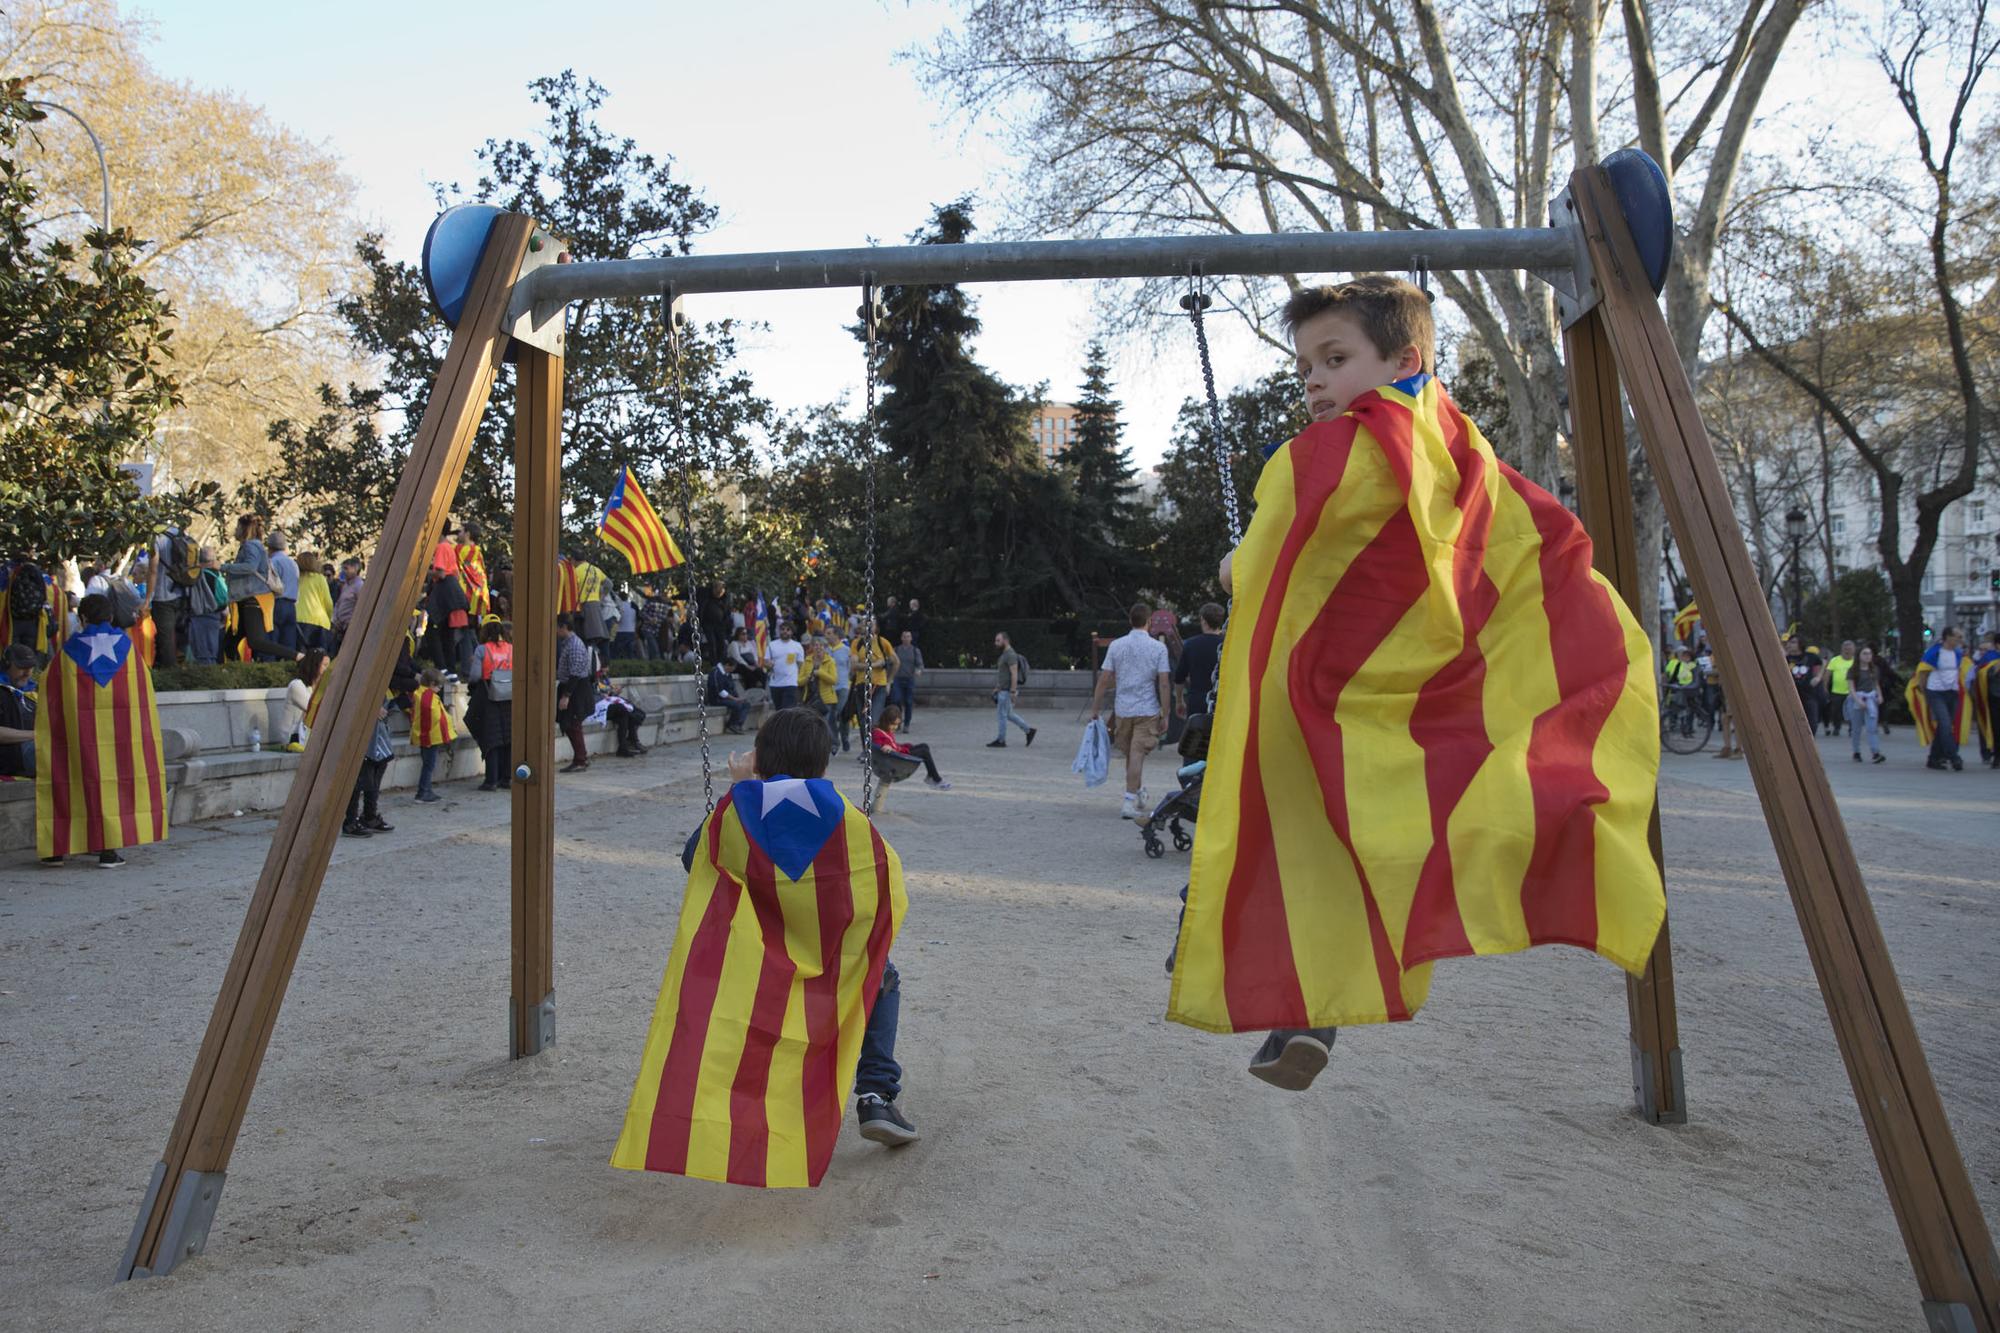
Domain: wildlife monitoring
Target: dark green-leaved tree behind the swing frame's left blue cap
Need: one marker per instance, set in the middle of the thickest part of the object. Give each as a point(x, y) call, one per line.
point(607, 199)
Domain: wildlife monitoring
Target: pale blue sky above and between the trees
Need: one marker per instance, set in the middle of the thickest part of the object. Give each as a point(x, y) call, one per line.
point(795, 119)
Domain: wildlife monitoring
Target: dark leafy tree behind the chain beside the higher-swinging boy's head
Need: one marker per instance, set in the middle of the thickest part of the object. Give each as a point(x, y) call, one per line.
point(1195, 535)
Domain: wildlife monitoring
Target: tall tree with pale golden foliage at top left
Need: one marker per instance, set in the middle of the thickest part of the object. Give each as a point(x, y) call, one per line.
point(251, 229)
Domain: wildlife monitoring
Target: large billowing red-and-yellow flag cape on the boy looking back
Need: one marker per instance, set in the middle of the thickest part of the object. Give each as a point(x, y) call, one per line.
point(1435, 734)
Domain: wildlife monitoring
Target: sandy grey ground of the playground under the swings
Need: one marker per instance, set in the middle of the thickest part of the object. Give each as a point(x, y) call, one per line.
point(1083, 1164)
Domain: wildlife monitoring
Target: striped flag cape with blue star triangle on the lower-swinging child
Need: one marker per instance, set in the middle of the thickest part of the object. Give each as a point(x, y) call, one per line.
point(791, 910)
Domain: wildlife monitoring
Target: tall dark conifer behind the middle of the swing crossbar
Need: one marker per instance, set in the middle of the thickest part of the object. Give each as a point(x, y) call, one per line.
point(977, 523)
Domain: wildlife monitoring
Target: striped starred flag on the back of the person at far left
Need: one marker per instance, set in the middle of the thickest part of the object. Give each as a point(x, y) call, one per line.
point(99, 766)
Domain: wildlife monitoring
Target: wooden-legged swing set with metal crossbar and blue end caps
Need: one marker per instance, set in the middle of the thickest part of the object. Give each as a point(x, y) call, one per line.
point(505, 285)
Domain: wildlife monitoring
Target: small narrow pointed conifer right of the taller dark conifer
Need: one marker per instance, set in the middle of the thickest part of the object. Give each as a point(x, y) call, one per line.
point(1105, 537)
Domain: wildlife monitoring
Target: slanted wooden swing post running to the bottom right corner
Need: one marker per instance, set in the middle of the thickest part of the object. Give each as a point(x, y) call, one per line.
point(1943, 1228)
